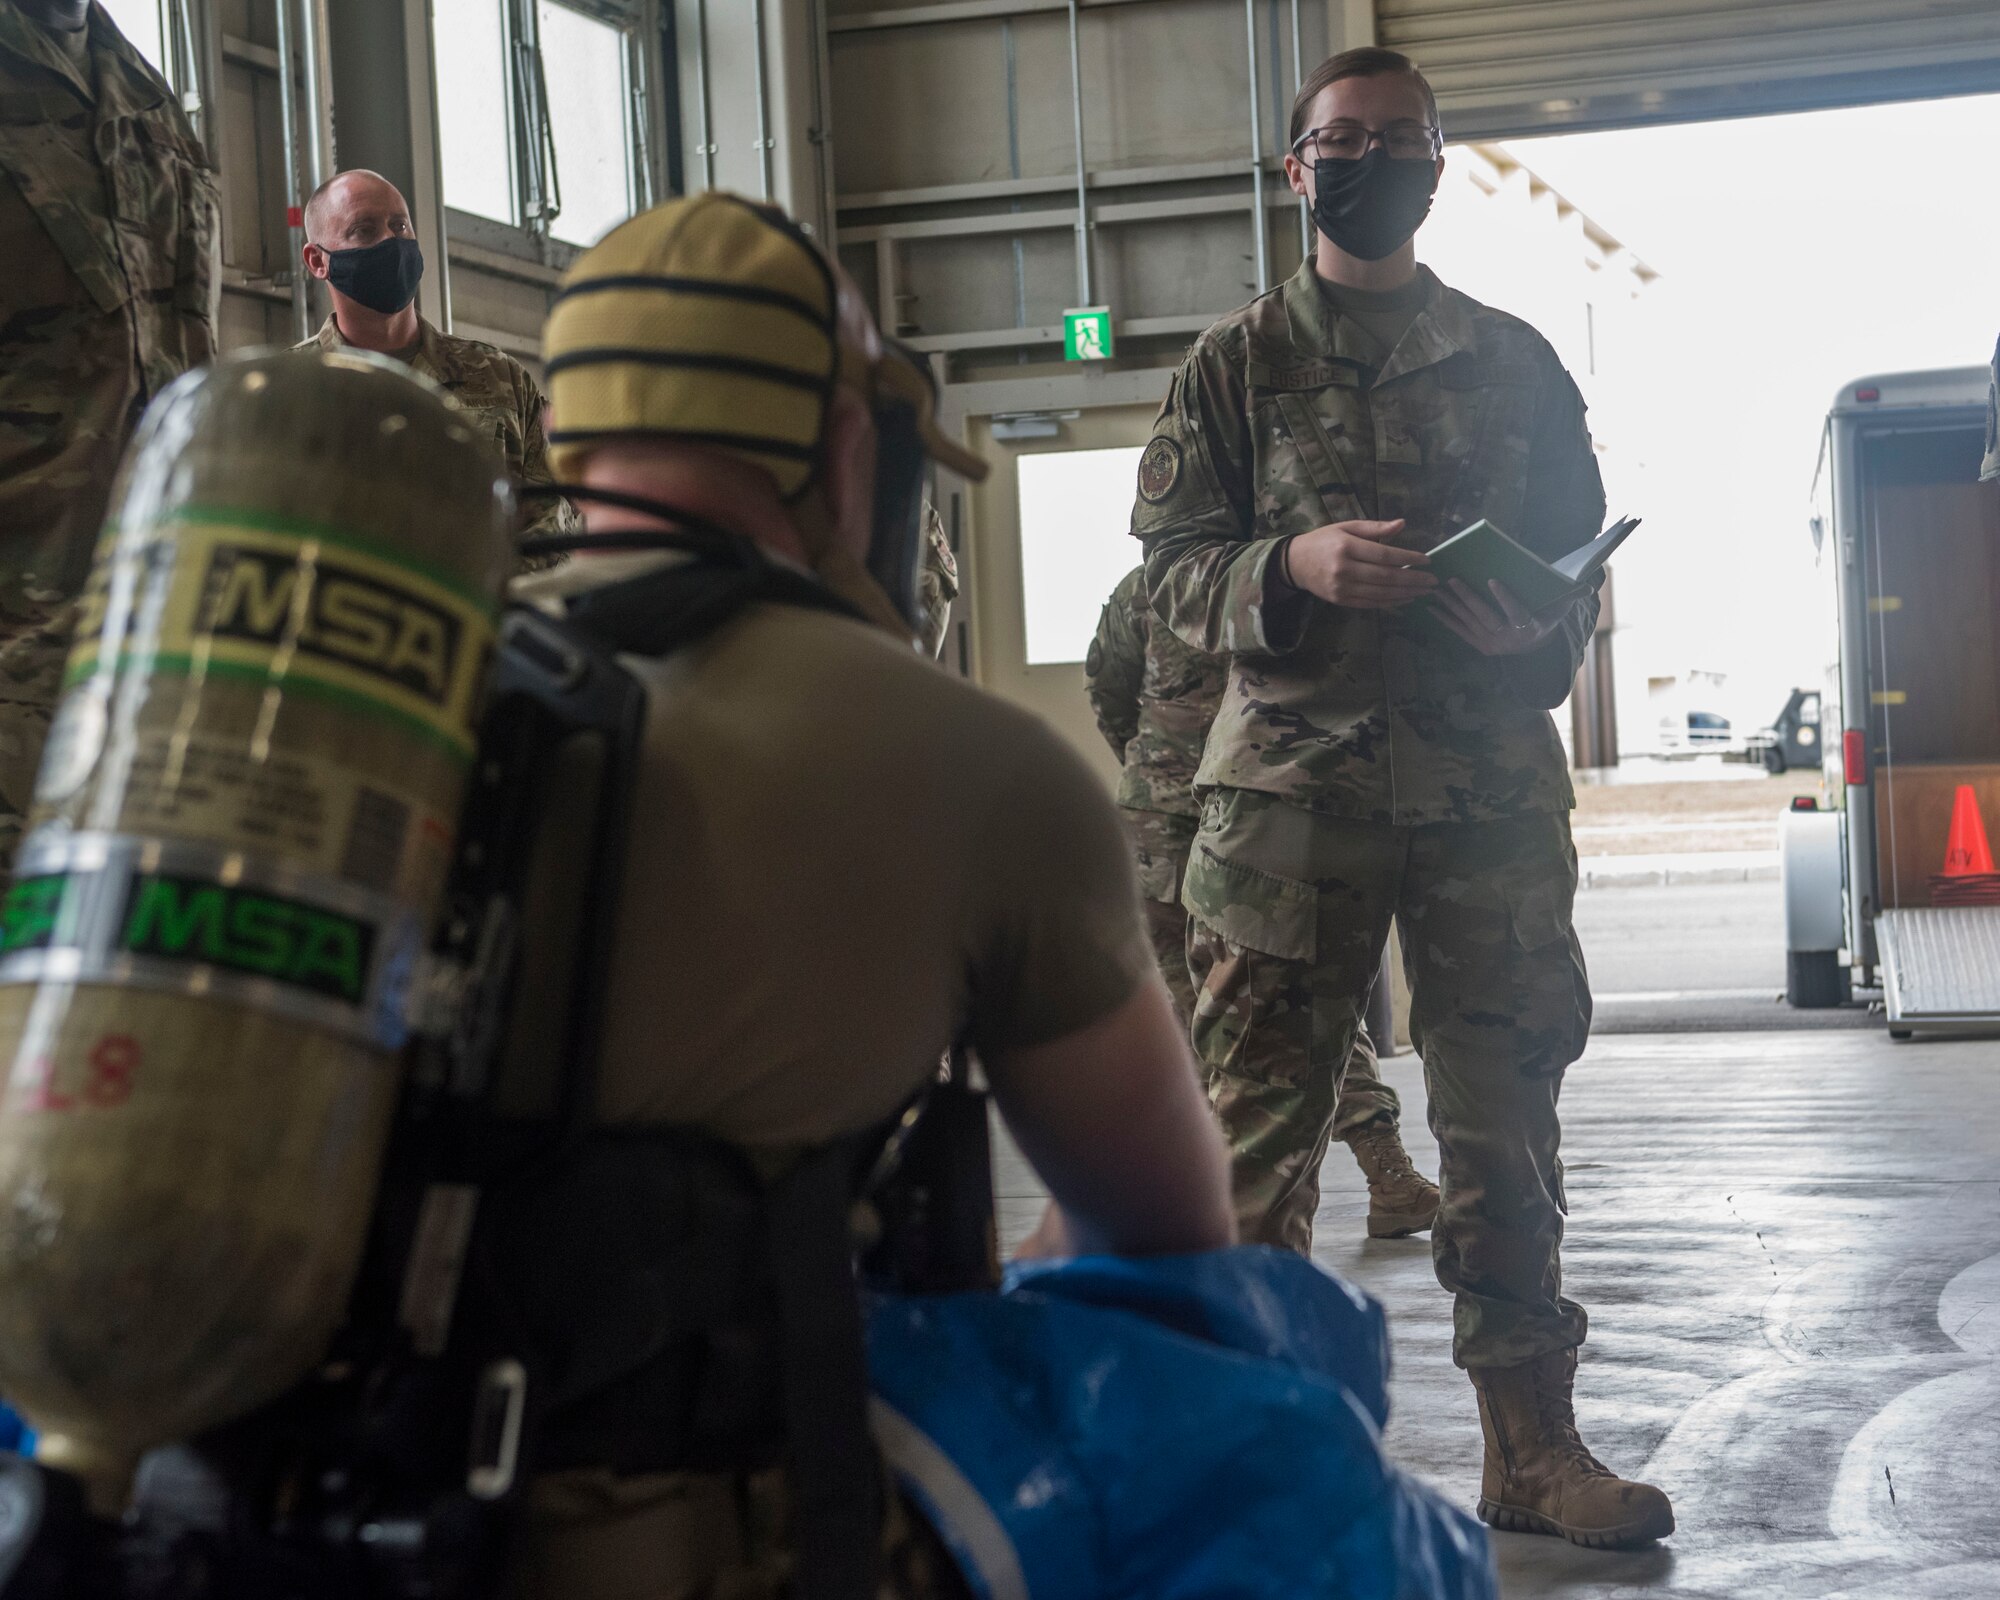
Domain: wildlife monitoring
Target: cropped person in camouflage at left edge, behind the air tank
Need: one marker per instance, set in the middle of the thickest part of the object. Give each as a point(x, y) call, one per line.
point(107, 295)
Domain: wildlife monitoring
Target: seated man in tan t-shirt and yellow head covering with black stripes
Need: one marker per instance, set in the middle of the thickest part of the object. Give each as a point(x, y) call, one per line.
point(883, 855)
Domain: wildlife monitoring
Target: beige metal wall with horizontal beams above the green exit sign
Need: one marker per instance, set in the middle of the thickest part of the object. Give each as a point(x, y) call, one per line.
point(959, 141)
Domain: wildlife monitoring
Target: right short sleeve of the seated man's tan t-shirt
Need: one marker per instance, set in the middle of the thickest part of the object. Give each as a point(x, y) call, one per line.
point(1061, 939)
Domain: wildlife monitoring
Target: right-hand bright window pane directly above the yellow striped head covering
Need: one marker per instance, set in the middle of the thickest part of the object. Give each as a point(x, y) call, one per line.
point(583, 63)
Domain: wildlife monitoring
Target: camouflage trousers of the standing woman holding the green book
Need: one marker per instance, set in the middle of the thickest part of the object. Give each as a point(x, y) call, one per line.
point(1291, 915)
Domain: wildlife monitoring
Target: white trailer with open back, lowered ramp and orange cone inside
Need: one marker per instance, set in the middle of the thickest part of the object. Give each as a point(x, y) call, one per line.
point(1909, 555)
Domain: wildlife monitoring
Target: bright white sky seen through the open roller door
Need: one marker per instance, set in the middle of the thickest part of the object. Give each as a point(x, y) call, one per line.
point(1797, 253)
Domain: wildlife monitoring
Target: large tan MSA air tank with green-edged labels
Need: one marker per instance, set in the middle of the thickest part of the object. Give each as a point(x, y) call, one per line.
point(241, 833)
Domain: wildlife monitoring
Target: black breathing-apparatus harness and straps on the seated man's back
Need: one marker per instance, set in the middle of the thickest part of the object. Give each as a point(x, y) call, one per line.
point(543, 1293)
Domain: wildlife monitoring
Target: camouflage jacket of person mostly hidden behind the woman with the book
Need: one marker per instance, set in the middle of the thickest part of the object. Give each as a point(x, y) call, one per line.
point(1155, 701)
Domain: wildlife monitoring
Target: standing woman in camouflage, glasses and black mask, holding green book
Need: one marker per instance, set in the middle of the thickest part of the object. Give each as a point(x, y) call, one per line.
point(1385, 751)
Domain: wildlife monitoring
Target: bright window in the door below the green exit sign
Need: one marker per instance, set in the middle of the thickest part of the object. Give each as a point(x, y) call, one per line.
point(1075, 545)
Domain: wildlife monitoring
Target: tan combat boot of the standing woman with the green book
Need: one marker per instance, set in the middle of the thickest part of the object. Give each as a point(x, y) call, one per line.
point(1539, 1475)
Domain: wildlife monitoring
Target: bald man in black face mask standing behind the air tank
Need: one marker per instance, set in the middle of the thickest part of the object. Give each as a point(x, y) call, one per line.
point(363, 247)
